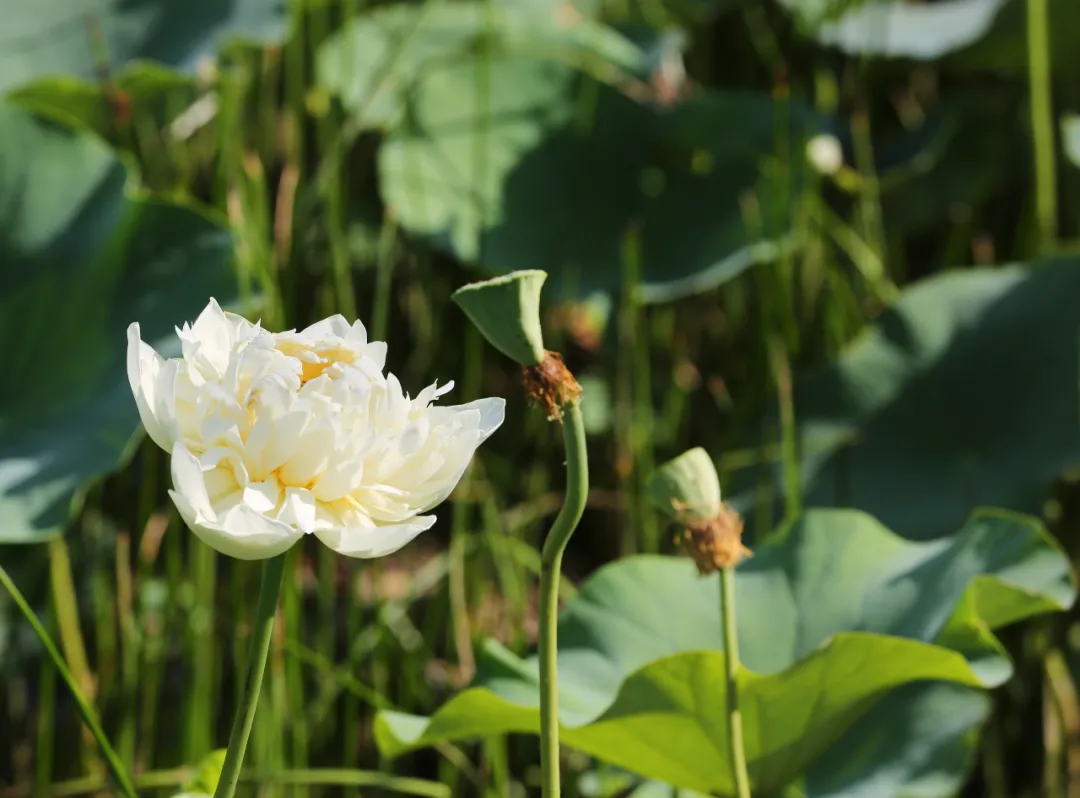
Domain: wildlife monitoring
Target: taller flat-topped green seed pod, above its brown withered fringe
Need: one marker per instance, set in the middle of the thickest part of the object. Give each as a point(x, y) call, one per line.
point(507, 312)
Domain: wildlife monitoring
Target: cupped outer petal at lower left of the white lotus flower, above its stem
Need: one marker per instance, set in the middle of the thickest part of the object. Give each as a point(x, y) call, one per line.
point(240, 532)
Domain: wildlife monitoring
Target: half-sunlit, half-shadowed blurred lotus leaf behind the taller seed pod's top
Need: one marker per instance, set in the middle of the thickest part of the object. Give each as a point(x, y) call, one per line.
point(547, 170)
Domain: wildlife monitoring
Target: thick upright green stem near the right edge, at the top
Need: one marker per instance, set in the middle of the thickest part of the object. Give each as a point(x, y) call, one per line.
point(1043, 123)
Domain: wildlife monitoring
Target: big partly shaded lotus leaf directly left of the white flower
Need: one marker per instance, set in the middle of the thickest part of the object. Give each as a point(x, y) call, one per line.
point(79, 262)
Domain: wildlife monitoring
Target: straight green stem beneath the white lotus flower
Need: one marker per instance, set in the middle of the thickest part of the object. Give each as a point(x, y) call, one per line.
point(260, 648)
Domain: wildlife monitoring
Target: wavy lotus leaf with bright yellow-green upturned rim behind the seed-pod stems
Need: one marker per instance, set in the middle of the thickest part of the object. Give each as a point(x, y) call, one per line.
point(834, 614)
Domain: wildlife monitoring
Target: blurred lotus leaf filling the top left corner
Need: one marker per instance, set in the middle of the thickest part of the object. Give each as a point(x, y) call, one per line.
point(48, 38)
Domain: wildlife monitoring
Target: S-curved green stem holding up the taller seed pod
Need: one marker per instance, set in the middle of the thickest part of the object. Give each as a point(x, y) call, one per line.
point(551, 563)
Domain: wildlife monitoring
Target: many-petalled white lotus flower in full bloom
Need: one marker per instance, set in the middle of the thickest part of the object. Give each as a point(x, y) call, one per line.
point(277, 436)
